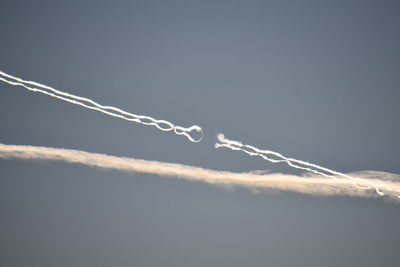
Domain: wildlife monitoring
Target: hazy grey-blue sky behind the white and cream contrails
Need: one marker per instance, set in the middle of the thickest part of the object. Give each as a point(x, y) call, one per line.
point(316, 80)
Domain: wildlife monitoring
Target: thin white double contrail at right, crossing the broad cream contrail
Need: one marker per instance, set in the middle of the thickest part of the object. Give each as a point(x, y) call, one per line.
point(275, 157)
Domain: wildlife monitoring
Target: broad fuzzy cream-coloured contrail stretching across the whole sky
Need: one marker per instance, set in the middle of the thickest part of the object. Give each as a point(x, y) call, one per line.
point(256, 180)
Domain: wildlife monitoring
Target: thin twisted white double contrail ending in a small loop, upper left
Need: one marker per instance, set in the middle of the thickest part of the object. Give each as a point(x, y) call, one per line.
point(162, 125)
